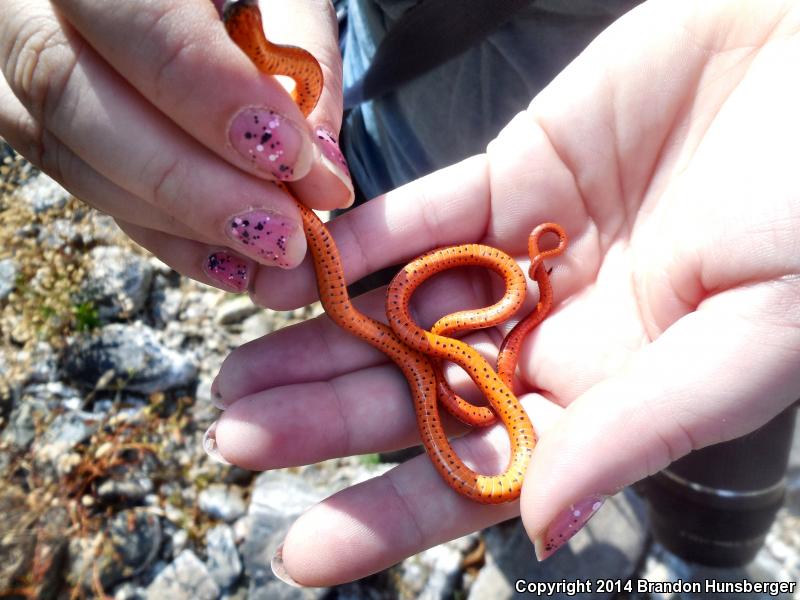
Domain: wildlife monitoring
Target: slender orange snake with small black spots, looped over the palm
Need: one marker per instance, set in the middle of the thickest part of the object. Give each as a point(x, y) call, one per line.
point(408, 345)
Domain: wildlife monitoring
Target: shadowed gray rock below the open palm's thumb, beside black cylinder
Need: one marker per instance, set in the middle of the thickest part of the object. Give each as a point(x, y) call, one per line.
point(608, 547)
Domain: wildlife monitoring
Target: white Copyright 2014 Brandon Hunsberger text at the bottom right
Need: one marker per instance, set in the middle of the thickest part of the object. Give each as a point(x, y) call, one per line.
point(644, 586)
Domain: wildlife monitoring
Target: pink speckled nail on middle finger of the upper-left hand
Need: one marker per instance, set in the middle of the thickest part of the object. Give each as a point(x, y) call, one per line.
point(268, 237)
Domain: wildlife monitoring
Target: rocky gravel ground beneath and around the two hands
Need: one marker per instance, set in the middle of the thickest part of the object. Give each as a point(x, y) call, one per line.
point(106, 359)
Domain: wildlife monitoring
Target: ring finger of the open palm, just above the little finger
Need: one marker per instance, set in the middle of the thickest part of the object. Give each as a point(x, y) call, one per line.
point(306, 423)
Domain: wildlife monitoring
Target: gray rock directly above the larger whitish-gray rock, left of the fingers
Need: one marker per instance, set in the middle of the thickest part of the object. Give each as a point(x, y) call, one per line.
point(120, 281)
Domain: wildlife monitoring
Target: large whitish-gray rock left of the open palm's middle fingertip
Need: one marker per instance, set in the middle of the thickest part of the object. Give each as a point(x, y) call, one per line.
point(135, 357)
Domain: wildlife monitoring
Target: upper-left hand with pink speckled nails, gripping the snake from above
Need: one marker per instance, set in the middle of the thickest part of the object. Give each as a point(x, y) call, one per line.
point(147, 111)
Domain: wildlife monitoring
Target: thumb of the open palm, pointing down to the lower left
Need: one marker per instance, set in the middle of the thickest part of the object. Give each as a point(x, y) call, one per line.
point(717, 373)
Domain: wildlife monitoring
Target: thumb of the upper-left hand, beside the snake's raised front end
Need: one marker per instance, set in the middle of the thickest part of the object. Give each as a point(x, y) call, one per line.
point(312, 25)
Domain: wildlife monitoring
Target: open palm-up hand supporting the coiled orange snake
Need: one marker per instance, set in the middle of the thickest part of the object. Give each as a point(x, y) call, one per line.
point(668, 152)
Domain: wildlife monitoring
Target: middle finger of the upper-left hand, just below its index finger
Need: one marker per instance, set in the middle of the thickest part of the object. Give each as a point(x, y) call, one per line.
point(68, 90)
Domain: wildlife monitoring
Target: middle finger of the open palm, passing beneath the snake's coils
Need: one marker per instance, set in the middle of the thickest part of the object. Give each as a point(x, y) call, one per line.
point(318, 350)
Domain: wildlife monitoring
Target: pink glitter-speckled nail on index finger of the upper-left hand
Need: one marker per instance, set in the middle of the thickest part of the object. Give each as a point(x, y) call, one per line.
point(271, 143)
